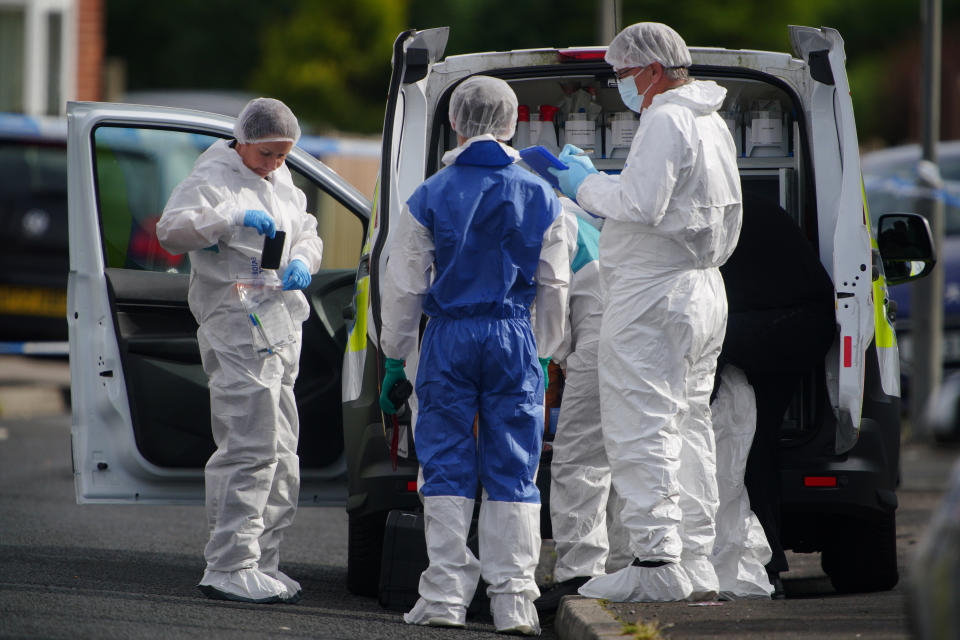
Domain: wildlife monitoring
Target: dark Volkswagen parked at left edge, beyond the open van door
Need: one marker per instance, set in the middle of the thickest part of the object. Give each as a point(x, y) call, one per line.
point(33, 226)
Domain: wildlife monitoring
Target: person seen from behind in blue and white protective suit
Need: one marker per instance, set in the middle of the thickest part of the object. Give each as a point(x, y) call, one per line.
point(475, 270)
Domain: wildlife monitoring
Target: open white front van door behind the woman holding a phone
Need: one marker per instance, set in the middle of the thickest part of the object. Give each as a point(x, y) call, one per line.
point(141, 410)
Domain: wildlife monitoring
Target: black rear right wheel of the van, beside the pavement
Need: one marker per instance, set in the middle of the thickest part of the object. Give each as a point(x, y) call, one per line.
point(866, 559)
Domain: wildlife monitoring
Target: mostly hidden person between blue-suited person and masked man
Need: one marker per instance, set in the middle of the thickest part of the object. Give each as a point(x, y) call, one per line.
point(586, 525)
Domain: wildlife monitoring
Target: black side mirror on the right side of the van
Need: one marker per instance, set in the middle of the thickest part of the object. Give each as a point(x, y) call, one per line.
point(906, 247)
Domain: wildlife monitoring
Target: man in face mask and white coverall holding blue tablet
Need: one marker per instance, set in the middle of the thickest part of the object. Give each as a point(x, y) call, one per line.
point(672, 217)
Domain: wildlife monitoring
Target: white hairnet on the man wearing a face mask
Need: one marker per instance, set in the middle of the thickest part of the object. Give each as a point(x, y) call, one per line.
point(646, 42)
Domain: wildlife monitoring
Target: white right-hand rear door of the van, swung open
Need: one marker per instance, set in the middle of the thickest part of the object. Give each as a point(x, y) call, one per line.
point(843, 226)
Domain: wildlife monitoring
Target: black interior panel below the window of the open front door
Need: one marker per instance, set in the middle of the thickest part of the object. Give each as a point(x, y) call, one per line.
point(169, 397)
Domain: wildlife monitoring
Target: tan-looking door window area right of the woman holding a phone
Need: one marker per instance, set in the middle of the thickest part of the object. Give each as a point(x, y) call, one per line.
point(341, 230)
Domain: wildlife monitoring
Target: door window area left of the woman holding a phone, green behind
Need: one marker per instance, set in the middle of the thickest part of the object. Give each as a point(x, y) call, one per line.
point(136, 170)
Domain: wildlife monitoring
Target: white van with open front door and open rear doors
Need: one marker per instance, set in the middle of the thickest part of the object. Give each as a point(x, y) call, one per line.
point(133, 344)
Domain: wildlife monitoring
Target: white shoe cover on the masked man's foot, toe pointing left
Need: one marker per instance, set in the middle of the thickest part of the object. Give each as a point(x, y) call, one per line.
point(668, 583)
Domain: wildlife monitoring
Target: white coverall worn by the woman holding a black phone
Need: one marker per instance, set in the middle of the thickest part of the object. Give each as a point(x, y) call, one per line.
point(253, 477)
